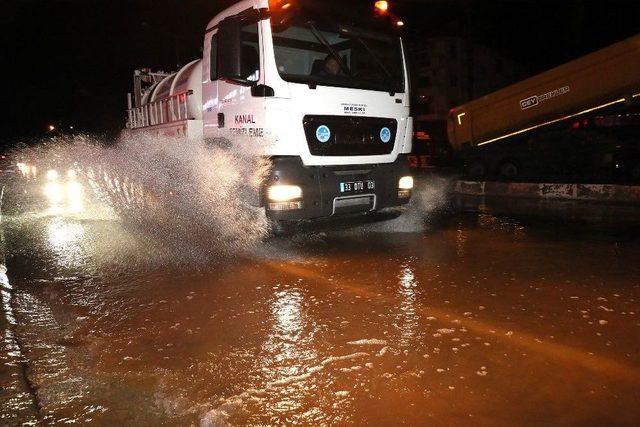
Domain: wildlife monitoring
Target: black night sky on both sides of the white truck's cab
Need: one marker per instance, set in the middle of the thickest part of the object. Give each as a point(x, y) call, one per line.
point(70, 62)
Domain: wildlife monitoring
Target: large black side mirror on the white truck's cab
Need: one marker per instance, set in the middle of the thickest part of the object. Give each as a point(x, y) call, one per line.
point(230, 58)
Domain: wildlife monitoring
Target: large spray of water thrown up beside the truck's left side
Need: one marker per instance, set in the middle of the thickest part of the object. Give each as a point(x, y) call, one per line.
point(194, 200)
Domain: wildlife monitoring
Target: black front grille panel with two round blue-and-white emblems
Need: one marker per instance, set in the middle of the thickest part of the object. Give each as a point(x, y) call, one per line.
point(349, 136)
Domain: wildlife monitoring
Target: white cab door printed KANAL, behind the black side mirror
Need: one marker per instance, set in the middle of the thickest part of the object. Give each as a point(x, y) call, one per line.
point(240, 114)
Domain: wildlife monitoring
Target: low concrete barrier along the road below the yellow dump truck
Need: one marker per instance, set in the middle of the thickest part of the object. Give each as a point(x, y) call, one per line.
point(588, 192)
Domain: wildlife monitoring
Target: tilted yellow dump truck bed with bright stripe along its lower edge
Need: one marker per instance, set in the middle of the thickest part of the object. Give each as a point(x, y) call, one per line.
point(592, 82)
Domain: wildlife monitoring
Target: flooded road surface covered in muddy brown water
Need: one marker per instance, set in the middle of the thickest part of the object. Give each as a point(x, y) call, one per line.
point(487, 314)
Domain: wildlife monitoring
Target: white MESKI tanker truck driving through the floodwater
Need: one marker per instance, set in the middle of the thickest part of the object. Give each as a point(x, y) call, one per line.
point(337, 142)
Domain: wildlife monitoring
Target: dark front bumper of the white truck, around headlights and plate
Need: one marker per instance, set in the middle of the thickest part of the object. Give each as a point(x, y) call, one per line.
point(321, 188)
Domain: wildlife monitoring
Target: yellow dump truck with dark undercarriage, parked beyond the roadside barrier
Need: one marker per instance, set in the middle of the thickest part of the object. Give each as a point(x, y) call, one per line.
point(583, 115)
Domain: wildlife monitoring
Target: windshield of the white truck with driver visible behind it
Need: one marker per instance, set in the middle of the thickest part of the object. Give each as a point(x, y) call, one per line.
point(317, 52)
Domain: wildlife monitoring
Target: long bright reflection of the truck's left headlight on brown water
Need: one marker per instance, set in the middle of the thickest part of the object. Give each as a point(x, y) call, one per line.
point(282, 383)
